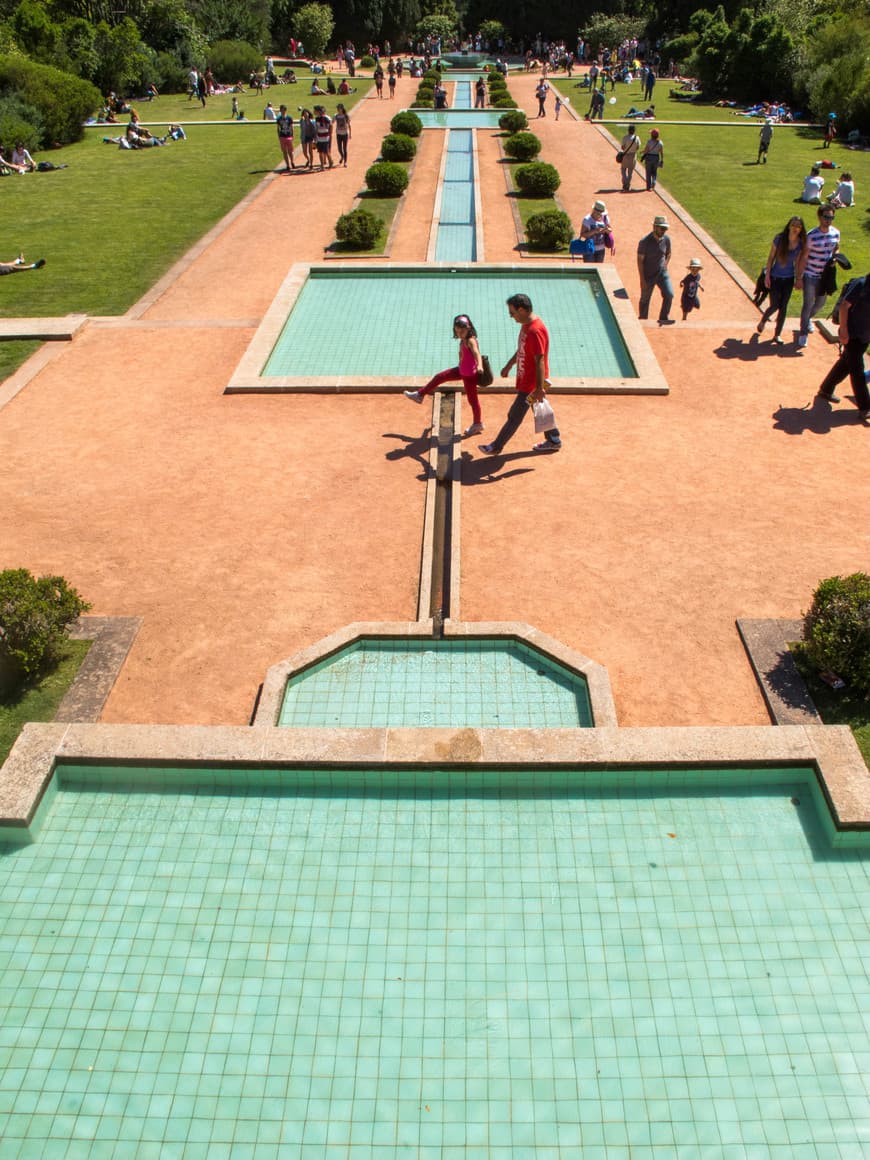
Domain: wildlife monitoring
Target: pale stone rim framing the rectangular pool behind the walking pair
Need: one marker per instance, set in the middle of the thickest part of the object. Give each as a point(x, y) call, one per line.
point(249, 378)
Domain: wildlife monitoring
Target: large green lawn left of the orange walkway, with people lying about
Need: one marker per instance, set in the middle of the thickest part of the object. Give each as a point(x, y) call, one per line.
point(115, 221)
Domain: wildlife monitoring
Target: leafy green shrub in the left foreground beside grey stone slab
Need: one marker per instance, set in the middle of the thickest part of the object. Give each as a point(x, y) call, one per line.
point(35, 617)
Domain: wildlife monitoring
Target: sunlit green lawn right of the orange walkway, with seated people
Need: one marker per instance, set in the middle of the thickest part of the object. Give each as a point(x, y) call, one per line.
point(712, 171)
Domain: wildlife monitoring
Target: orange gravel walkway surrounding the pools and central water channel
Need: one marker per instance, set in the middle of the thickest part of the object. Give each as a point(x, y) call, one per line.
point(243, 530)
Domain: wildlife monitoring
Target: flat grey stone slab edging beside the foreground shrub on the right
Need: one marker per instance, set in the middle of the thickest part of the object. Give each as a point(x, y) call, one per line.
point(782, 686)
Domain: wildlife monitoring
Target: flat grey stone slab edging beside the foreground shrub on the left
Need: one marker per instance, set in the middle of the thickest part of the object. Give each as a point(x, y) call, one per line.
point(113, 639)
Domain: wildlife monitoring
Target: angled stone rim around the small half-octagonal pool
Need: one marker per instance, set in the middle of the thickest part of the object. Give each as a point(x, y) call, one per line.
point(601, 699)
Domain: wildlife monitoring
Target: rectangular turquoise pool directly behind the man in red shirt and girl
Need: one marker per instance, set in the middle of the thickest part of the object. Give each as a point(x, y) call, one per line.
point(379, 338)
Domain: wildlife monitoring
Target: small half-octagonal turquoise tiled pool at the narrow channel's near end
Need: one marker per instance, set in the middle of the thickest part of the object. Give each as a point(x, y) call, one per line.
point(378, 684)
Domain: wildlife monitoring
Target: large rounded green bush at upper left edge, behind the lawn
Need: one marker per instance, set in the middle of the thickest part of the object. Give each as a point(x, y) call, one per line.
point(66, 103)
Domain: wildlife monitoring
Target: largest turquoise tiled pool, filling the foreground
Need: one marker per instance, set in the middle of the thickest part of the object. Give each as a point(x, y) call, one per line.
point(318, 967)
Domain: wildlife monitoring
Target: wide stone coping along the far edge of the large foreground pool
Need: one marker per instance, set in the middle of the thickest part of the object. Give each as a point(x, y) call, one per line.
point(830, 751)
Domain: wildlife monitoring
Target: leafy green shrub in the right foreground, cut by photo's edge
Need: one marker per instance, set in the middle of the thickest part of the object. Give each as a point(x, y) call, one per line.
point(837, 629)
